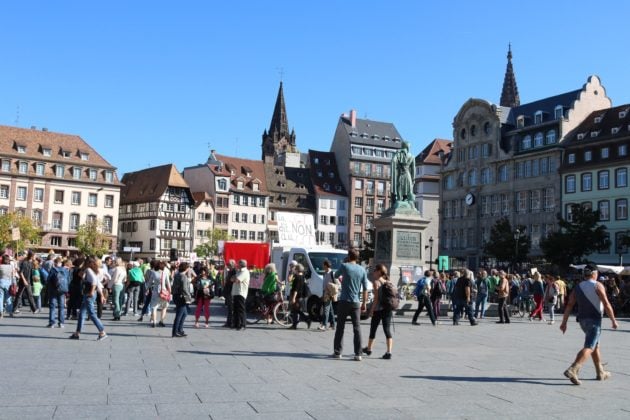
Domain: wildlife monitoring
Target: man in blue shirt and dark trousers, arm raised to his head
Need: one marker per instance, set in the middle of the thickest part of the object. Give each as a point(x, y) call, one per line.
point(353, 282)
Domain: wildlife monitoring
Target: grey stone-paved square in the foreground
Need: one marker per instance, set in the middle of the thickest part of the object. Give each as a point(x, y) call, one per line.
point(268, 372)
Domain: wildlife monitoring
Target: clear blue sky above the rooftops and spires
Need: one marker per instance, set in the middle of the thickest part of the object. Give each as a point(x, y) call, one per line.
point(154, 82)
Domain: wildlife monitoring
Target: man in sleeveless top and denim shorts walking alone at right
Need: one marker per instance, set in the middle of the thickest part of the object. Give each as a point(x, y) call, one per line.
point(592, 301)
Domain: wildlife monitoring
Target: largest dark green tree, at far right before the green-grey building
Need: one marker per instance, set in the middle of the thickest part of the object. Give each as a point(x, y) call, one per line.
point(575, 239)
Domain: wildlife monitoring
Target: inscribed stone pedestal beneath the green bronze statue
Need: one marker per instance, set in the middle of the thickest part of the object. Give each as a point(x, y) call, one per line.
point(400, 243)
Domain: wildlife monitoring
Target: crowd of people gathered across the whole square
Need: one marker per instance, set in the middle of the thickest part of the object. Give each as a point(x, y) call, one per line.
point(79, 289)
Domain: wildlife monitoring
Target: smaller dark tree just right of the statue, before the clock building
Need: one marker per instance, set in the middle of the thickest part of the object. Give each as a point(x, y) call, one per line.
point(503, 244)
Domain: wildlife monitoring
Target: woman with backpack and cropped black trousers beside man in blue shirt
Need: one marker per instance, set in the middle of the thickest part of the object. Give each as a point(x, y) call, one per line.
point(381, 310)
